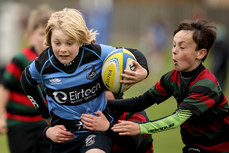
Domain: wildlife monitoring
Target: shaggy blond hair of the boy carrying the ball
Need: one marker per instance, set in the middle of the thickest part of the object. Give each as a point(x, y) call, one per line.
point(72, 23)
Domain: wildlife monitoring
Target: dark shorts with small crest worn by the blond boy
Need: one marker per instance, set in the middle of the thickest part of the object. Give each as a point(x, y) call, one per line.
point(83, 143)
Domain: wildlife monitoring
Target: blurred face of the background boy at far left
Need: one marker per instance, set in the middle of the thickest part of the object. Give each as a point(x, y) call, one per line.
point(37, 38)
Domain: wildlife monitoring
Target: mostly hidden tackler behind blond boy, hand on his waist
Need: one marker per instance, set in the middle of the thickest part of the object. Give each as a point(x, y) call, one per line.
point(121, 144)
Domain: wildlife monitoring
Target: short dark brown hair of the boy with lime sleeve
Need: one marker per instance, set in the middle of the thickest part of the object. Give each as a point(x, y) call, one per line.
point(204, 34)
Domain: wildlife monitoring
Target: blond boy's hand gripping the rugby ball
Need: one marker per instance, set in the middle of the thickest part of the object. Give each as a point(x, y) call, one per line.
point(133, 77)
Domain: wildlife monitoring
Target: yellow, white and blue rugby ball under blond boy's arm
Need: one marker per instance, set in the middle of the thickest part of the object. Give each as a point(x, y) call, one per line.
point(113, 66)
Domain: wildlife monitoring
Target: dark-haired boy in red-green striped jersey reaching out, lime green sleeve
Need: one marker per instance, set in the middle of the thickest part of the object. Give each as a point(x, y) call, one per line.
point(203, 111)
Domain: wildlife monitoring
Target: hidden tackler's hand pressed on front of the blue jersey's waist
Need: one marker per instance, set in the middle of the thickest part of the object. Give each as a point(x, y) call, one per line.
point(95, 123)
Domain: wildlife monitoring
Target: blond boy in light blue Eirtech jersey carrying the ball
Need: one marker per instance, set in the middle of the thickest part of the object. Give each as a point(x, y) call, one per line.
point(70, 69)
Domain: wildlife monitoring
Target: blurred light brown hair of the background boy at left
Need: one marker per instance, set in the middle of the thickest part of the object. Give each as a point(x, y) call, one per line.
point(39, 17)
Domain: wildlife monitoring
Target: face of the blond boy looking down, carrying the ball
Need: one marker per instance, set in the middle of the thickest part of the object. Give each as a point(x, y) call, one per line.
point(65, 48)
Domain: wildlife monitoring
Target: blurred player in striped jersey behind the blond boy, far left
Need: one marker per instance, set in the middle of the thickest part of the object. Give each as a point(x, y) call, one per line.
point(18, 117)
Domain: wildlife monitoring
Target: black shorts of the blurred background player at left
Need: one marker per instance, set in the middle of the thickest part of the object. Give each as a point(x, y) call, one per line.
point(28, 138)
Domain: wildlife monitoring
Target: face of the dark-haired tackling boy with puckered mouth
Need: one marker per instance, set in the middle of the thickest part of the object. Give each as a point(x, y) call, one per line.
point(185, 56)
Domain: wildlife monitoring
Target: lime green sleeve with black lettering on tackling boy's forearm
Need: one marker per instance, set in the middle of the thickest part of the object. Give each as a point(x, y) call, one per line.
point(170, 122)
